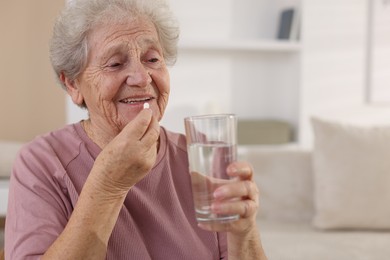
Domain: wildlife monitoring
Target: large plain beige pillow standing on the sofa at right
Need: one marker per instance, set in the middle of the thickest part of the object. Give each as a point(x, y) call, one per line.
point(351, 176)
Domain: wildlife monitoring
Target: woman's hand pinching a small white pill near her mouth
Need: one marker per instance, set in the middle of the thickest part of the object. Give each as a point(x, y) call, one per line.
point(130, 156)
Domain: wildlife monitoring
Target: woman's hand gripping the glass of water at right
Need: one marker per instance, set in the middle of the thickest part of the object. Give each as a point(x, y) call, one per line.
point(240, 197)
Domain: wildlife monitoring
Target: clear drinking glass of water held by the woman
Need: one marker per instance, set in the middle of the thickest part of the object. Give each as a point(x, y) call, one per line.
point(212, 146)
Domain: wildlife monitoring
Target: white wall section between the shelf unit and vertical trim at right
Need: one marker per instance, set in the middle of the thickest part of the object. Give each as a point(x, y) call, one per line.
point(333, 61)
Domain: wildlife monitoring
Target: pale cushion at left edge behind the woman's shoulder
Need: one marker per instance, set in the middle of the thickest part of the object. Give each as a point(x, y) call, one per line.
point(8, 151)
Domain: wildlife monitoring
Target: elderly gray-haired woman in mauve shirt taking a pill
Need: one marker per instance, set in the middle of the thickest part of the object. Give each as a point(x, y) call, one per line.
point(117, 186)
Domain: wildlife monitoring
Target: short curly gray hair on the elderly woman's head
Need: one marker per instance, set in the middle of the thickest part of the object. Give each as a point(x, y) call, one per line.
point(69, 48)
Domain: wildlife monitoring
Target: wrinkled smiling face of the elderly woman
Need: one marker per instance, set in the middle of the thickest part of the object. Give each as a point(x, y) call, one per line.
point(125, 69)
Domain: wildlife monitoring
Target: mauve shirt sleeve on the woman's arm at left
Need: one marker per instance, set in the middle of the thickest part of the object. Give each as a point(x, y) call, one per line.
point(38, 205)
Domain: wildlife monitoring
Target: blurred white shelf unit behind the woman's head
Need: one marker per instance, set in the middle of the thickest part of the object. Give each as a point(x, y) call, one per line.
point(231, 62)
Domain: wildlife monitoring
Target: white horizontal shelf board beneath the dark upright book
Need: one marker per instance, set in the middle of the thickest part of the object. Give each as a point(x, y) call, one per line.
point(242, 45)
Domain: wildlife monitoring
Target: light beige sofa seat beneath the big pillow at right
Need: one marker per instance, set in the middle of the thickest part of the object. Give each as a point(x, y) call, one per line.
point(300, 241)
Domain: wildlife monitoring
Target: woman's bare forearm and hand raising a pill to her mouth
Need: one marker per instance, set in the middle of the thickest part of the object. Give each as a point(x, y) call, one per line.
point(122, 163)
